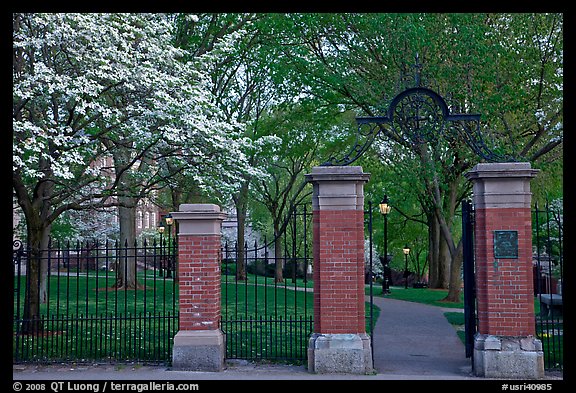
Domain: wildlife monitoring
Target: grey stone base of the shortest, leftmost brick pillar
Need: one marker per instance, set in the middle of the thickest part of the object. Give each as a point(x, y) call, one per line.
point(199, 350)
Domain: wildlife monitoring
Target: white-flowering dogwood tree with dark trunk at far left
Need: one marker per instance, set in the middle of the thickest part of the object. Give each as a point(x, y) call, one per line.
point(90, 87)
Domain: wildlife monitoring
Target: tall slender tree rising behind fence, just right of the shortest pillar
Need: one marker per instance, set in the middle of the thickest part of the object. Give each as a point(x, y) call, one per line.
point(240, 79)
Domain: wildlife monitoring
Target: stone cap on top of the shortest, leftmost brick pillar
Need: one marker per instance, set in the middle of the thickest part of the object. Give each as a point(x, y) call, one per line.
point(199, 219)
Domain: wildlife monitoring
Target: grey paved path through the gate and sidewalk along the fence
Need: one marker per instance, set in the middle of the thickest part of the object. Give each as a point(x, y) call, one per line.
point(411, 341)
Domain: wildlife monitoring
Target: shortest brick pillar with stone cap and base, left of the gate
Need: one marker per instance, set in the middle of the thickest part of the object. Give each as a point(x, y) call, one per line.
point(199, 344)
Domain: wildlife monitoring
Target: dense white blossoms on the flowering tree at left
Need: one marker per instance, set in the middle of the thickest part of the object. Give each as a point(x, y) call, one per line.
point(86, 78)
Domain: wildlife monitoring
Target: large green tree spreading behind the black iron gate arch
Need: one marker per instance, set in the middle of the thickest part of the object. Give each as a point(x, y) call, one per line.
point(508, 67)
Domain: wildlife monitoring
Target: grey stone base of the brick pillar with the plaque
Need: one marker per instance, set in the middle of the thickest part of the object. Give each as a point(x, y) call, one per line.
point(508, 357)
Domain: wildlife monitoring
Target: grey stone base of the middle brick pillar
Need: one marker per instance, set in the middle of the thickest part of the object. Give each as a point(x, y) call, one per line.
point(340, 353)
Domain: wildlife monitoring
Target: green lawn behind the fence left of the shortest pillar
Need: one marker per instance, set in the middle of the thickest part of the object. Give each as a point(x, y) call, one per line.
point(85, 318)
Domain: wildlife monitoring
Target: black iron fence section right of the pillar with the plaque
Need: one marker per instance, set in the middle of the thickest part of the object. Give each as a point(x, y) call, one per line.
point(548, 243)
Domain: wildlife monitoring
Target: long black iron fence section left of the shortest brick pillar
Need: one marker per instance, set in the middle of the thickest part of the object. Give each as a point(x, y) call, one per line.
point(95, 302)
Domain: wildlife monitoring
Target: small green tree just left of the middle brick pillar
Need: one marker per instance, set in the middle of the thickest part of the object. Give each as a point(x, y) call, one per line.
point(300, 128)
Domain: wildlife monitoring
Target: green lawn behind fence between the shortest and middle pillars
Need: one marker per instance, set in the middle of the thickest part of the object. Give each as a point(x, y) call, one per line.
point(265, 320)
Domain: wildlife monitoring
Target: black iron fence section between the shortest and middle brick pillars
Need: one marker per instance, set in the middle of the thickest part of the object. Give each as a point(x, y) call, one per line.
point(267, 299)
